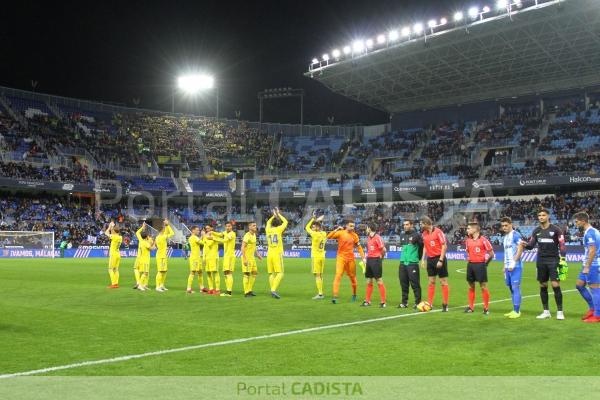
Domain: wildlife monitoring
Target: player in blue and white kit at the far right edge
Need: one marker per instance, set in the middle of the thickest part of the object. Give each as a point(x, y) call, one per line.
point(590, 269)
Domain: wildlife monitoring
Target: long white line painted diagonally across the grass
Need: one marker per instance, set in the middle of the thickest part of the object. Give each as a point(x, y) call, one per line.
point(235, 341)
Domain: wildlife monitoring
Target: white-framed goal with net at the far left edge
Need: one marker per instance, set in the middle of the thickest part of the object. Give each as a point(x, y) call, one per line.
point(40, 243)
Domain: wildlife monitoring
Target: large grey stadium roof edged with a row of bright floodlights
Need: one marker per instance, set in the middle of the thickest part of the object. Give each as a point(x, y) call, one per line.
point(548, 47)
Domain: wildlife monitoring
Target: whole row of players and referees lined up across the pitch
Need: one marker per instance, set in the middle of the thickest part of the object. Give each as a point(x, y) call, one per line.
point(425, 250)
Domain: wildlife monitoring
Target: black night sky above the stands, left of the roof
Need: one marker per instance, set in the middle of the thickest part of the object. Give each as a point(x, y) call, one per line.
point(117, 51)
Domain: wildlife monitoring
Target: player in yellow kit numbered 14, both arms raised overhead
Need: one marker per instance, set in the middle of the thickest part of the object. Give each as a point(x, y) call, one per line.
point(275, 227)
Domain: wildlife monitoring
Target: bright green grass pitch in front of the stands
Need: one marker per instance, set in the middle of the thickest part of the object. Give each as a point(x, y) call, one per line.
point(57, 312)
